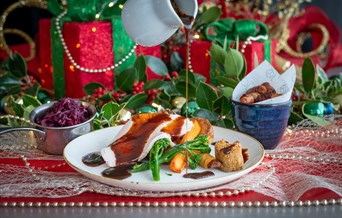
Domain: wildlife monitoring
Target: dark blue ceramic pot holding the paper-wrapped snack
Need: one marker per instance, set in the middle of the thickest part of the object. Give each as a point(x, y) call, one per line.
point(266, 123)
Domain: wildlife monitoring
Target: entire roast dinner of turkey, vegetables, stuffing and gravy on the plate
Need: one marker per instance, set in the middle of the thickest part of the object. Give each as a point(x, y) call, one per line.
point(149, 140)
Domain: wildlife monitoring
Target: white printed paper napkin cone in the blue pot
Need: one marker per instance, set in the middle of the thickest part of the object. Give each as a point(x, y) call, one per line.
point(265, 72)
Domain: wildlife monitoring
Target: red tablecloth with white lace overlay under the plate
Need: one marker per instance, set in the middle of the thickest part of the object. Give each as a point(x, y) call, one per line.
point(305, 168)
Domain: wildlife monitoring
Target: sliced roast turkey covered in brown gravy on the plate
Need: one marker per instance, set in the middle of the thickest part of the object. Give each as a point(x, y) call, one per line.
point(136, 138)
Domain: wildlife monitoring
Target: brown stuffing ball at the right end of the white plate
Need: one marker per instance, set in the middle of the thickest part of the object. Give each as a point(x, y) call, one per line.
point(232, 156)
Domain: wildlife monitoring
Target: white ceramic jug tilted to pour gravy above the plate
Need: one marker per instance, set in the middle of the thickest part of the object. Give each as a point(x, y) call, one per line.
point(151, 22)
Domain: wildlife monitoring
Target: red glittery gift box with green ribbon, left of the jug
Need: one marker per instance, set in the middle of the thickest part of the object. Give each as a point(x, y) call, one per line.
point(92, 45)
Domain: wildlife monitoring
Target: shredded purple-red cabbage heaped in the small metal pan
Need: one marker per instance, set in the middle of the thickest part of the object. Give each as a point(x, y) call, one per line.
point(65, 112)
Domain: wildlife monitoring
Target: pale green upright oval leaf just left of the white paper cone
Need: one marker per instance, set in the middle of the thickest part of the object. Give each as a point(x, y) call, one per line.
point(233, 63)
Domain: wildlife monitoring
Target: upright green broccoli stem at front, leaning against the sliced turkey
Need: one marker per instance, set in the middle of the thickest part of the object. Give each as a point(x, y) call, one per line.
point(156, 153)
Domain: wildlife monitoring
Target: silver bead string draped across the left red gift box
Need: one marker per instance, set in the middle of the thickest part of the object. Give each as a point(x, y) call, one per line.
point(72, 60)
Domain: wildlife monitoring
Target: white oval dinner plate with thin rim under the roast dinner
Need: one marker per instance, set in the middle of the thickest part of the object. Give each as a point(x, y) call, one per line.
point(169, 181)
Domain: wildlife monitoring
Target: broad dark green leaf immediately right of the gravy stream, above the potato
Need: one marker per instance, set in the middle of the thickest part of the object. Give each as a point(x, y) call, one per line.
point(205, 95)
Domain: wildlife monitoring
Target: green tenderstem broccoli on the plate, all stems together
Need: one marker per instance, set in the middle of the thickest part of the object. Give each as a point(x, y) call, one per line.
point(199, 144)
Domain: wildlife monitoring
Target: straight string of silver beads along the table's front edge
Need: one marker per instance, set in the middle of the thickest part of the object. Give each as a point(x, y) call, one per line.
point(238, 204)
